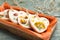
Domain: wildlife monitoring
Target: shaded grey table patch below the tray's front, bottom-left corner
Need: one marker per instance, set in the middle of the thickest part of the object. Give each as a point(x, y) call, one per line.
point(6, 35)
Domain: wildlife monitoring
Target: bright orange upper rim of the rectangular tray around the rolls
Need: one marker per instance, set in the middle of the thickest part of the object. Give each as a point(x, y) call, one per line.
point(7, 6)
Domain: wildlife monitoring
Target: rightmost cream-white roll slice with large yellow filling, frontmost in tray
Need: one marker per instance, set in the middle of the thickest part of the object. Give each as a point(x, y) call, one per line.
point(39, 24)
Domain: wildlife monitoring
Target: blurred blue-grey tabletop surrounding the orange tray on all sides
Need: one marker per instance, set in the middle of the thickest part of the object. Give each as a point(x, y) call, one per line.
point(49, 7)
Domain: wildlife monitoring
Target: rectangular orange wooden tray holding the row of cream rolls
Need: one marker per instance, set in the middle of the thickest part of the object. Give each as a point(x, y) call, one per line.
point(27, 33)
